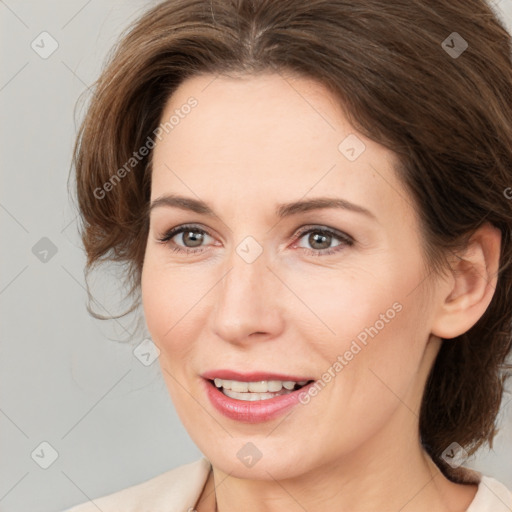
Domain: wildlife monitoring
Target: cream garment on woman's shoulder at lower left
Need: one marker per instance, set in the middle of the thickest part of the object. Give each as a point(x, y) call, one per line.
point(177, 489)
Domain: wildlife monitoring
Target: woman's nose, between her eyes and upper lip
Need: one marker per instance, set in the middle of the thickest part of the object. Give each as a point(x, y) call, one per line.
point(247, 302)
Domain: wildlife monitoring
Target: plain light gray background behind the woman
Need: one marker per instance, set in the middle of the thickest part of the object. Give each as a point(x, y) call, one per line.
point(107, 417)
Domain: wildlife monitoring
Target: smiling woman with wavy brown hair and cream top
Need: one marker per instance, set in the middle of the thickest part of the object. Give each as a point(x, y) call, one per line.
point(311, 198)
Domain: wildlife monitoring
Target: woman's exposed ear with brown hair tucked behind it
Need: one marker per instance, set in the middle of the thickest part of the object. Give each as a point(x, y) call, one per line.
point(466, 294)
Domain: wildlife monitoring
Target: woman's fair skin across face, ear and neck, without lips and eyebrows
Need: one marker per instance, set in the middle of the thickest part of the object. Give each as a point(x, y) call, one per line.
point(251, 143)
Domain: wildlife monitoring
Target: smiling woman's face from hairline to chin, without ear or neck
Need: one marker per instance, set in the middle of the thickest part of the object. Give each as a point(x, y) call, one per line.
point(264, 290)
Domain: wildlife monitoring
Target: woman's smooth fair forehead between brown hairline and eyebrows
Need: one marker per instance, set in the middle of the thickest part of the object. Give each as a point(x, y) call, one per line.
point(270, 135)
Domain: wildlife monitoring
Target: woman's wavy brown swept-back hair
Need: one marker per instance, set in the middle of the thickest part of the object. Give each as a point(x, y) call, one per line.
point(448, 117)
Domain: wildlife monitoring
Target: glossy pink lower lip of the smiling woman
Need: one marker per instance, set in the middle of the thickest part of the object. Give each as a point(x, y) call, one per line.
point(254, 411)
